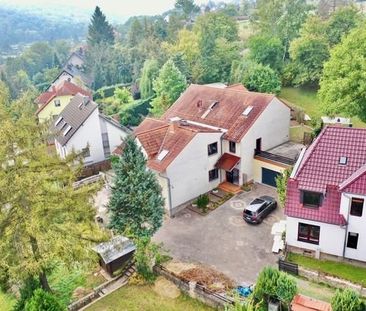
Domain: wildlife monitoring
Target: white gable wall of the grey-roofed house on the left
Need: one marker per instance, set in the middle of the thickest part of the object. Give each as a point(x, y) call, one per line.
point(90, 133)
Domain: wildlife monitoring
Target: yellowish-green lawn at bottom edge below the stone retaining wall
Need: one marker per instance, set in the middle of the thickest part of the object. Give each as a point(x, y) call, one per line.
point(136, 298)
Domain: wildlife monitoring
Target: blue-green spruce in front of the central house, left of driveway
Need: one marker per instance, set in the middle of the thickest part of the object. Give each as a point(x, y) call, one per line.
point(136, 205)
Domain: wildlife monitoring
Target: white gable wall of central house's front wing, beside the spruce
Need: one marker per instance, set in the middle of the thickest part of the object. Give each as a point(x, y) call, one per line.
point(188, 173)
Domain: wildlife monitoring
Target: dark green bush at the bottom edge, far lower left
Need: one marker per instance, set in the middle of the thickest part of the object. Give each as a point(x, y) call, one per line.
point(43, 301)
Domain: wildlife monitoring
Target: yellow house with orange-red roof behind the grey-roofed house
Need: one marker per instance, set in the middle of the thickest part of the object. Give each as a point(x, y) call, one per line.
point(52, 102)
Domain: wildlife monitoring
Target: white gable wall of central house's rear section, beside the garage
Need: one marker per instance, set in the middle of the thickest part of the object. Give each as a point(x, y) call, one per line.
point(272, 126)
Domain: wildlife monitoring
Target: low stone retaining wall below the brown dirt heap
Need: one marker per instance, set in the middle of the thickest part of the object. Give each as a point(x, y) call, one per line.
point(195, 290)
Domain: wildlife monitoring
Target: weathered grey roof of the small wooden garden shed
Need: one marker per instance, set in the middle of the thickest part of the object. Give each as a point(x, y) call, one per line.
point(115, 248)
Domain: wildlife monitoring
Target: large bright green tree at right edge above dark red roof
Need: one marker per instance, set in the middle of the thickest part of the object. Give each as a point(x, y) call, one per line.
point(342, 86)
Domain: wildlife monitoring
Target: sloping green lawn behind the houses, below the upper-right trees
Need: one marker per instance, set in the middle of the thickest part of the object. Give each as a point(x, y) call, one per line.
point(306, 99)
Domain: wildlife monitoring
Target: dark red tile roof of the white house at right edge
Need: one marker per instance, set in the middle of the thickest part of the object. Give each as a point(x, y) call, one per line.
point(320, 171)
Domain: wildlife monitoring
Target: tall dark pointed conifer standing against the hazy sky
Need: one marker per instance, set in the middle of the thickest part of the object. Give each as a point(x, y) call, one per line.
point(100, 31)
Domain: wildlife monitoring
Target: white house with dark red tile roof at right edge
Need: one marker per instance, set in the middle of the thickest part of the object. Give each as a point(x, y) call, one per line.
point(326, 194)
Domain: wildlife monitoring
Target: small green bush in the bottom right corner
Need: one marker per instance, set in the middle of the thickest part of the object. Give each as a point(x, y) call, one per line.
point(347, 300)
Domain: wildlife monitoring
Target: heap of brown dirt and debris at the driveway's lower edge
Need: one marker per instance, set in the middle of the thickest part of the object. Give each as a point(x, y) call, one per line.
point(208, 277)
